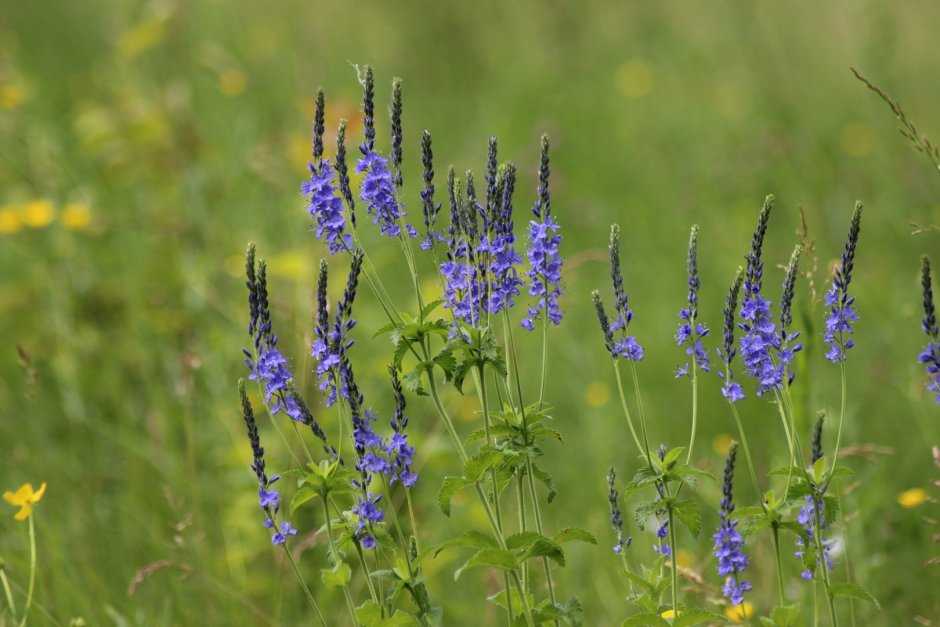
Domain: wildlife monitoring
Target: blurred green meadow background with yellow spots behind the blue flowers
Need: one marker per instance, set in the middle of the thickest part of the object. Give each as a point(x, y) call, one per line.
point(144, 144)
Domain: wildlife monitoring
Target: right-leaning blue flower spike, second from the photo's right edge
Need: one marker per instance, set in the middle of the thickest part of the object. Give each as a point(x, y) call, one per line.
point(842, 313)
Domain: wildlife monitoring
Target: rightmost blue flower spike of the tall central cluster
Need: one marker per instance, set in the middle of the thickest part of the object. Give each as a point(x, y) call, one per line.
point(545, 262)
